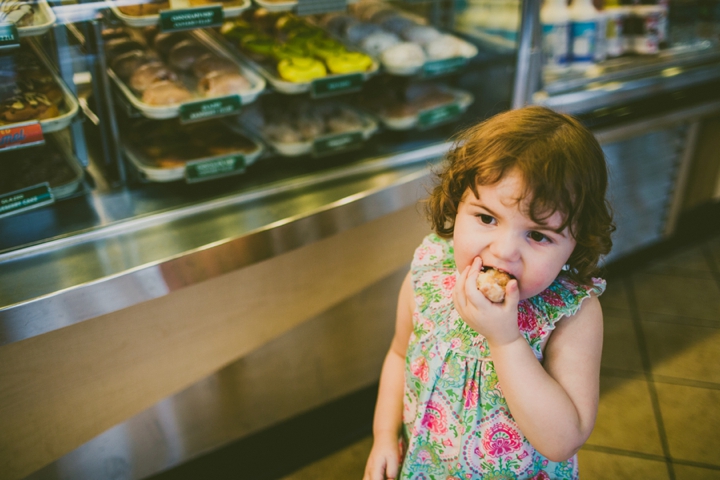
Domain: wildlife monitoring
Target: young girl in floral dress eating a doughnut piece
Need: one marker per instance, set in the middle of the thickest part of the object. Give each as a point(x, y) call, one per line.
point(472, 389)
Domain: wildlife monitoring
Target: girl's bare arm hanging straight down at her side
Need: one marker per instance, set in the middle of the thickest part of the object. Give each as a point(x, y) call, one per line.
point(384, 458)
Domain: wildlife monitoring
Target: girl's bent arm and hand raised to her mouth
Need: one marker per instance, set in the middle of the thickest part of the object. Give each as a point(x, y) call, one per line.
point(554, 403)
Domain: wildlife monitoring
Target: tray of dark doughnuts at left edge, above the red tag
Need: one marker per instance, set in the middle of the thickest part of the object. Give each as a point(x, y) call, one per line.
point(29, 90)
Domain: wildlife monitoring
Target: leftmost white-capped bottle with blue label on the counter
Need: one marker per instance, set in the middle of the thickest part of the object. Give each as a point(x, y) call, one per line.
point(555, 19)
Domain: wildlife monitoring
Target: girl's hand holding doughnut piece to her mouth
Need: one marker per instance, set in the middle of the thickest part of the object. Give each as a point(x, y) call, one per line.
point(497, 322)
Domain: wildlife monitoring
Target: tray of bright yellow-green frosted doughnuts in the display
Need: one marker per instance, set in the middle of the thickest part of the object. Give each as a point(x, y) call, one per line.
point(289, 50)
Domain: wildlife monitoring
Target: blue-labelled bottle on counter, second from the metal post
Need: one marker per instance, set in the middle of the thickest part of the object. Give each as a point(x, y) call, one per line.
point(587, 34)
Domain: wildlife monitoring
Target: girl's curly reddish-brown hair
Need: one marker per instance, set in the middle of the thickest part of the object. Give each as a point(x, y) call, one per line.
point(561, 163)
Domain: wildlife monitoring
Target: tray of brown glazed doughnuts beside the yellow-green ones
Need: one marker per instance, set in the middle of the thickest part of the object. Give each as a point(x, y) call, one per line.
point(159, 72)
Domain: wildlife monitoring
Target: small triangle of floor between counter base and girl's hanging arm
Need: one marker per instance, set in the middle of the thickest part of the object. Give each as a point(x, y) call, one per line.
point(348, 463)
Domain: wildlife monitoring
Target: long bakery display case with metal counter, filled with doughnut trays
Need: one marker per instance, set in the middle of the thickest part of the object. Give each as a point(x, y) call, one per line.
point(155, 155)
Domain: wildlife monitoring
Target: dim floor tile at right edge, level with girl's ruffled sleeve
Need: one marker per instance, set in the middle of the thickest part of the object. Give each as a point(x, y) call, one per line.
point(686, 297)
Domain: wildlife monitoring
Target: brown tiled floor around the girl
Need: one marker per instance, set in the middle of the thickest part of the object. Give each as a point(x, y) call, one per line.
point(659, 415)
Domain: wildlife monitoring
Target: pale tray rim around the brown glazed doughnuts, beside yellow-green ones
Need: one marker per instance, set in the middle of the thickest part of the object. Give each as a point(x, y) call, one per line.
point(170, 111)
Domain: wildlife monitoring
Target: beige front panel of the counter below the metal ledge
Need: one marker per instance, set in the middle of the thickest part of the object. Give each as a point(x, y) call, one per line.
point(61, 389)
